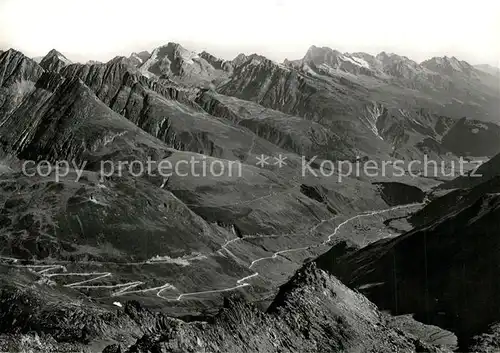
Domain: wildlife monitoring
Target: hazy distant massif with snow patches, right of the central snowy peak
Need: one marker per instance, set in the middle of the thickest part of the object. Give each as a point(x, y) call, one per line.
point(367, 96)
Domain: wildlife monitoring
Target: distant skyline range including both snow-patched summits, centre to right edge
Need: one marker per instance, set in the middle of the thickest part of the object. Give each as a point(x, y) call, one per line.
point(386, 104)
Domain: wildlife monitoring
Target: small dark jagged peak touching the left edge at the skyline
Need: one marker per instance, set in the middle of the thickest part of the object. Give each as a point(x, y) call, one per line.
point(15, 67)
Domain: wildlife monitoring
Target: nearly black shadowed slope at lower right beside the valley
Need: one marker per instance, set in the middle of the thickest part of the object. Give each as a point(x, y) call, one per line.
point(442, 271)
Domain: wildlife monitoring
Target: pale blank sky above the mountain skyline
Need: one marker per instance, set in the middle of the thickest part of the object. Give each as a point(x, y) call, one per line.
point(279, 29)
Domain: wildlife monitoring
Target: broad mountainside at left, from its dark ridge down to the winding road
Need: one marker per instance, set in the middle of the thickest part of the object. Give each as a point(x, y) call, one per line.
point(91, 114)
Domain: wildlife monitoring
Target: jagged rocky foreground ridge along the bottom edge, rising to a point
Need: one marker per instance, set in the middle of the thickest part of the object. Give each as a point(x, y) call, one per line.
point(313, 312)
